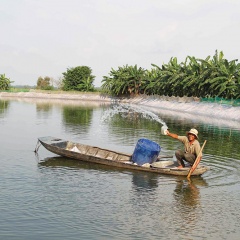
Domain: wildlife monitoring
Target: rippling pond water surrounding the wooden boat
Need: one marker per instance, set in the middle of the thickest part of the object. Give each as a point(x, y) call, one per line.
point(49, 197)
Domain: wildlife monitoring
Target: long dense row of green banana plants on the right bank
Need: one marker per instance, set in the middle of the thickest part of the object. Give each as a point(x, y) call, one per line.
point(210, 77)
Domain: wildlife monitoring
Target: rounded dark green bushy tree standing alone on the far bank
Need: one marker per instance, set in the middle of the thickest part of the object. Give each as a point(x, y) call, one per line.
point(79, 78)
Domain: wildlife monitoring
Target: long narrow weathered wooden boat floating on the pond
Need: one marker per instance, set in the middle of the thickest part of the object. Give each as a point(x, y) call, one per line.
point(107, 157)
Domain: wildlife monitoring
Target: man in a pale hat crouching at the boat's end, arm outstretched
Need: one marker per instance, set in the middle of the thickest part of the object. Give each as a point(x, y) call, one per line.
point(191, 147)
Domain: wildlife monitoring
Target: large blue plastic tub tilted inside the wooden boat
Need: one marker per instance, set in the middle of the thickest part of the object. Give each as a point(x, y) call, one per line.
point(146, 151)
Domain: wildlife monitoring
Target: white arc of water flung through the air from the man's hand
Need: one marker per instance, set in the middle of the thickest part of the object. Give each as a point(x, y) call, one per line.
point(126, 109)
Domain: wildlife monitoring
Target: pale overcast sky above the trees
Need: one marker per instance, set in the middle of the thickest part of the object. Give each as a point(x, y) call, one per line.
point(46, 37)
